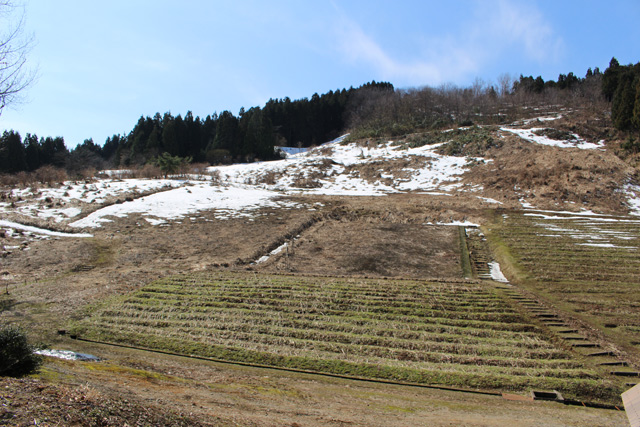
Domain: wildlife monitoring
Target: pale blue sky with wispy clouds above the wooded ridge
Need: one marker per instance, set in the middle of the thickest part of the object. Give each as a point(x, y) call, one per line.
point(102, 65)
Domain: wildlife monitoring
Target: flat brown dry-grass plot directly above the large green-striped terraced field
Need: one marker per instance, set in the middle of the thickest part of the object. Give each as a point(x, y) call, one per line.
point(369, 247)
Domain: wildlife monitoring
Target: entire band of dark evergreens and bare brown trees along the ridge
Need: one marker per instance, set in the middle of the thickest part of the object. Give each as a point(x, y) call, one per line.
point(372, 110)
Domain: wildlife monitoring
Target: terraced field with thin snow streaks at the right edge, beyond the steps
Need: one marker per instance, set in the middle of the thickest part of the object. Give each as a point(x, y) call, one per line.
point(586, 264)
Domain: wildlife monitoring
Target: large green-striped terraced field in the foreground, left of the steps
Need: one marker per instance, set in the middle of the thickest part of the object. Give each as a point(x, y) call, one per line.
point(458, 334)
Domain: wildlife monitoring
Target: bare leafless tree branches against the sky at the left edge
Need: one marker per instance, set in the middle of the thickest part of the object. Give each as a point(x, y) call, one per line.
point(15, 76)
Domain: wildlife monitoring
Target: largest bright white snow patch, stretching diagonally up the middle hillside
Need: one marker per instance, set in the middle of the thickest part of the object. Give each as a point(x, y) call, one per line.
point(331, 169)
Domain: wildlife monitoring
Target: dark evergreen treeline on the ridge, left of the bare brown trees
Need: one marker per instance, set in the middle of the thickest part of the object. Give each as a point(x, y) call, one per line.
point(218, 138)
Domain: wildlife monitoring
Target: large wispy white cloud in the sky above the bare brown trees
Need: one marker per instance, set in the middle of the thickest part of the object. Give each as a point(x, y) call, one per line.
point(498, 29)
